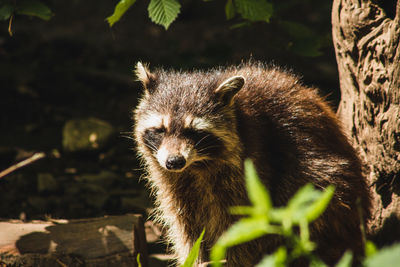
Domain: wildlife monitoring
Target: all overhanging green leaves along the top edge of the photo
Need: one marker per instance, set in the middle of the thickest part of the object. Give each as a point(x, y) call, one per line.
point(303, 40)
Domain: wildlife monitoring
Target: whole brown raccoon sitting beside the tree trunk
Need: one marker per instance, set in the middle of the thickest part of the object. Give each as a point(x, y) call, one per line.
point(195, 129)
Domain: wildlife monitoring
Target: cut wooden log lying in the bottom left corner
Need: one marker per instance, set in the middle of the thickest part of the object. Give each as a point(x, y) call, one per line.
point(107, 241)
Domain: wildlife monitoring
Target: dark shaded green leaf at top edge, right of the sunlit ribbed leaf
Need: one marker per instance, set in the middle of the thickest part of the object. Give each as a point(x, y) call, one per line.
point(254, 10)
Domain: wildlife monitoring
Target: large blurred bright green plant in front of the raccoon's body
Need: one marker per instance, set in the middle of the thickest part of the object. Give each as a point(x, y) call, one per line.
point(262, 219)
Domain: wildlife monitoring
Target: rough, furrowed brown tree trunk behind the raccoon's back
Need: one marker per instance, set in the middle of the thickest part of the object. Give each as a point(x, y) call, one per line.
point(368, 55)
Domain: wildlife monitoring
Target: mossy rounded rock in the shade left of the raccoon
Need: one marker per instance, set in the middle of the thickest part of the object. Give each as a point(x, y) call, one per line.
point(86, 134)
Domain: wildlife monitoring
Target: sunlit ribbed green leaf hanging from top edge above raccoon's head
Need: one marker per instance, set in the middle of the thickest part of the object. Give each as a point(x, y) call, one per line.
point(163, 12)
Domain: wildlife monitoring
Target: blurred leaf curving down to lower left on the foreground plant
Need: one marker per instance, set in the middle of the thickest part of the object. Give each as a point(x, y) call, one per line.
point(240, 232)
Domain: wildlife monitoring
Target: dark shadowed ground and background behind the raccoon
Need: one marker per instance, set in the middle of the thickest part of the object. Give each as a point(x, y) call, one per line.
point(74, 66)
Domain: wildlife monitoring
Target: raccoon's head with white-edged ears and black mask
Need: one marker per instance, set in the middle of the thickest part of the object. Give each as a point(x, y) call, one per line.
point(182, 121)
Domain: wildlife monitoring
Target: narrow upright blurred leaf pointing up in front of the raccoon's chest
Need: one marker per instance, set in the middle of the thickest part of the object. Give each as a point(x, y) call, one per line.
point(258, 194)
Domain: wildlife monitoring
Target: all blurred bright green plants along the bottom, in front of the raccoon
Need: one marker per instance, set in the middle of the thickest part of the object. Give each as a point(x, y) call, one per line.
point(262, 218)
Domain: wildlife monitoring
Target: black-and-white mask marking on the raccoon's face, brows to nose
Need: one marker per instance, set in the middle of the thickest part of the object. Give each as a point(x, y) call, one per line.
point(177, 149)
